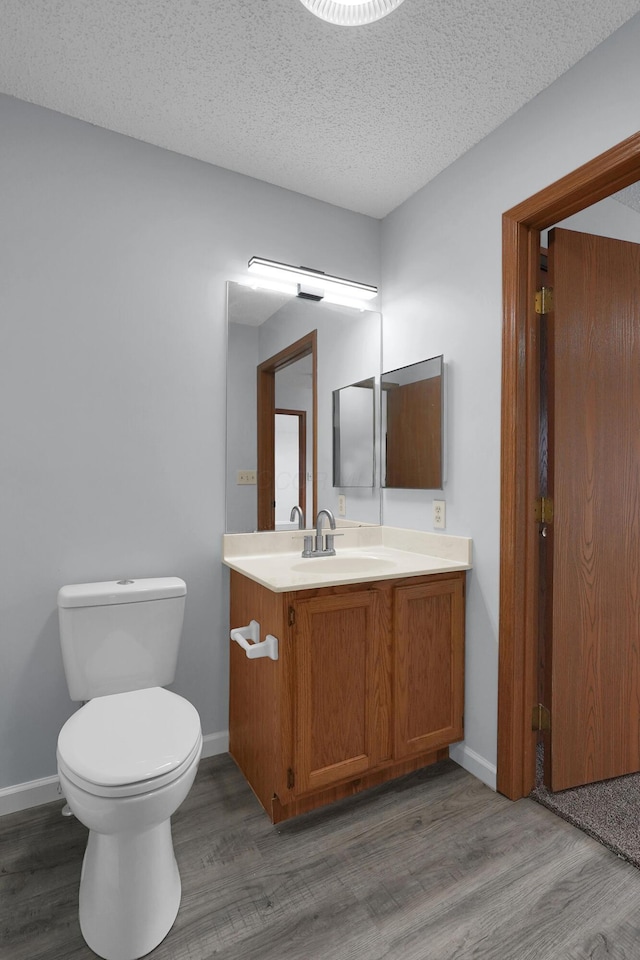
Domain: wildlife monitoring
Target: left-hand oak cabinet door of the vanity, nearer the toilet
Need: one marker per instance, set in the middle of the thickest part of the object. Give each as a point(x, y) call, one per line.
point(341, 687)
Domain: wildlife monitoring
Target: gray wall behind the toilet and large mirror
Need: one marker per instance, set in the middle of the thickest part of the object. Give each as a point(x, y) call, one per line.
point(112, 388)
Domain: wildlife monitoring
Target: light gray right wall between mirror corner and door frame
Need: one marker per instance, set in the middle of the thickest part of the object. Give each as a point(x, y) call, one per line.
point(442, 293)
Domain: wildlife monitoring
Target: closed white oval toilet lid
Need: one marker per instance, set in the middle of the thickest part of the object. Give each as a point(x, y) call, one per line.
point(129, 737)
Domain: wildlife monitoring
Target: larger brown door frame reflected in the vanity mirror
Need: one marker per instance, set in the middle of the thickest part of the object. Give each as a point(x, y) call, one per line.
point(304, 347)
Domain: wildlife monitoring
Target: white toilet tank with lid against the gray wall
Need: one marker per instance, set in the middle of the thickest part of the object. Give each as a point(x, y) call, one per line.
point(120, 636)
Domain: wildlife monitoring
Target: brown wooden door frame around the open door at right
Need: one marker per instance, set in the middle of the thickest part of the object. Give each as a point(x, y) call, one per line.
point(518, 651)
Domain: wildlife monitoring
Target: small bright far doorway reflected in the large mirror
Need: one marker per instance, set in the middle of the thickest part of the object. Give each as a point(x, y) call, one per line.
point(291, 465)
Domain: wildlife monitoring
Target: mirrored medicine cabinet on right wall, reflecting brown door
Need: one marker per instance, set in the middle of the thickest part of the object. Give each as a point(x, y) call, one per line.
point(412, 410)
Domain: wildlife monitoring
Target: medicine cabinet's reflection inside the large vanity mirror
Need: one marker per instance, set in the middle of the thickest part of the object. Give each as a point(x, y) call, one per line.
point(354, 435)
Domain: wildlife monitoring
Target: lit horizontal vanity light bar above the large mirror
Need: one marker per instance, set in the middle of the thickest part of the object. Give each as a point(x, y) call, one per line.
point(309, 284)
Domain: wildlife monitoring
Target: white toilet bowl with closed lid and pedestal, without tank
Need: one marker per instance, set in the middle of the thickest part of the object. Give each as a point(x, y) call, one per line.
point(126, 761)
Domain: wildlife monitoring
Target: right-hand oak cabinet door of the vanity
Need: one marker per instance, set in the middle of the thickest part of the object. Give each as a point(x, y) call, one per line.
point(428, 666)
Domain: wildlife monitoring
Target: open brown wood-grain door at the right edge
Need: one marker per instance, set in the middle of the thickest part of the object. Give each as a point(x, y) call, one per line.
point(594, 479)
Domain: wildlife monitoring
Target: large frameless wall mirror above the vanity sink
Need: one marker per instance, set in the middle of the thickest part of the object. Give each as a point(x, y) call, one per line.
point(287, 357)
